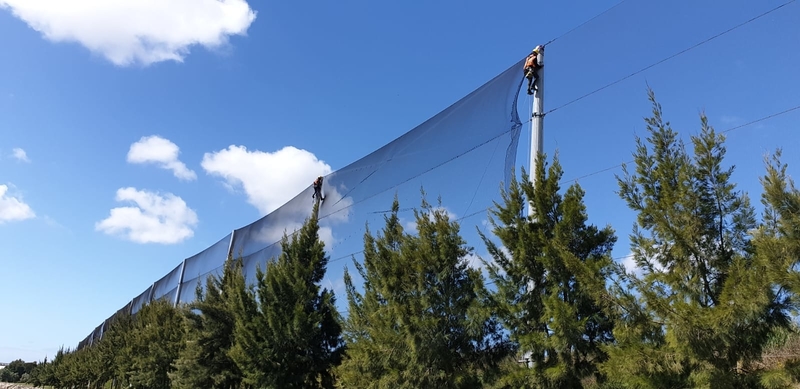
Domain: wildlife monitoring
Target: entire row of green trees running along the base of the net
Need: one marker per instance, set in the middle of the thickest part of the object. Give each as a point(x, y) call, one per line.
point(713, 295)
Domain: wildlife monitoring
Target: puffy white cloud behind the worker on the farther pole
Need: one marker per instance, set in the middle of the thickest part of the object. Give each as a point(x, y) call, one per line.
point(268, 179)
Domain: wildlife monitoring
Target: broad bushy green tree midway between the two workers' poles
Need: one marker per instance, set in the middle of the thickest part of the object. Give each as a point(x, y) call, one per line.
point(420, 321)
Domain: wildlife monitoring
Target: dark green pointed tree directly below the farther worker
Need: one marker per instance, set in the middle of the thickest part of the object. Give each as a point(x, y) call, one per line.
point(294, 338)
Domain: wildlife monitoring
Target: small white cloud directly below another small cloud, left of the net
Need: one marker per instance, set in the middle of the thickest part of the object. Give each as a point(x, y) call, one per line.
point(155, 218)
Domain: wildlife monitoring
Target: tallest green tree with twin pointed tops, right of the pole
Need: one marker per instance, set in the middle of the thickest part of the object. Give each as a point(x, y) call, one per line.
point(705, 305)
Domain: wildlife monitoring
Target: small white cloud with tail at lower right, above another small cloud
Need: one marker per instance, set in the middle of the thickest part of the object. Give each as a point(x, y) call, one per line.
point(164, 153)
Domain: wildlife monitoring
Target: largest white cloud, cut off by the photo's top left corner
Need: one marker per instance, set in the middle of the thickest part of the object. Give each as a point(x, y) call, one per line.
point(136, 31)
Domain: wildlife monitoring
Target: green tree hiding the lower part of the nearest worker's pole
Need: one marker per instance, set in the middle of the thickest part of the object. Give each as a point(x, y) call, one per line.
point(549, 271)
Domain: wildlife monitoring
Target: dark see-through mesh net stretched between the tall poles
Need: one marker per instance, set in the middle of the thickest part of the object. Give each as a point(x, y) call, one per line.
point(461, 155)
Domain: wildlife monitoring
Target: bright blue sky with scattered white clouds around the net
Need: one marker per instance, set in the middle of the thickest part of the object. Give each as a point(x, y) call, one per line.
point(180, 126)
